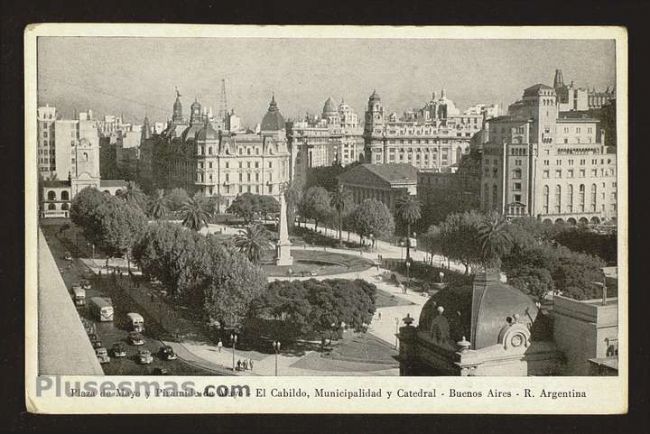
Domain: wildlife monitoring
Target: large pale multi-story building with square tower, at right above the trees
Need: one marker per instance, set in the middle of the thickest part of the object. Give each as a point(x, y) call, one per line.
point(540, 164)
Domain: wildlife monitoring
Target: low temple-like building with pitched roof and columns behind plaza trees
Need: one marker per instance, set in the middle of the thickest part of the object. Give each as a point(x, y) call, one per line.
point(384, 182)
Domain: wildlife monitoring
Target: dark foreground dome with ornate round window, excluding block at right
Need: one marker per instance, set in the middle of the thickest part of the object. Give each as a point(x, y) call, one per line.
point(486, 329)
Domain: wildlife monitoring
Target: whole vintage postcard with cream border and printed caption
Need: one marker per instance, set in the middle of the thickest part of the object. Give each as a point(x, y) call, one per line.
point(326, 219)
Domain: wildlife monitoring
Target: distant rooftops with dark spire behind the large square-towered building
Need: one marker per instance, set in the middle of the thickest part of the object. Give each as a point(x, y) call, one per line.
point(573, 98)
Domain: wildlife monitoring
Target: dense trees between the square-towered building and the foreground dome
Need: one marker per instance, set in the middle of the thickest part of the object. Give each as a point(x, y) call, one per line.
point(524, 249)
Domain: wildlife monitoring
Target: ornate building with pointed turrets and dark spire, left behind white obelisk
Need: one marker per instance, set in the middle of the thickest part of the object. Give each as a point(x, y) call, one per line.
point(201, 156)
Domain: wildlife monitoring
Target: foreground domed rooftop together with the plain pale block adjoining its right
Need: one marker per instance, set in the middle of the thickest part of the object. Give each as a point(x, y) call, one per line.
point(490, 328)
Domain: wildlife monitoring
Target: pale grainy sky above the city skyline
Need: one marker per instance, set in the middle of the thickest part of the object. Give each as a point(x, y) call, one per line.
point(138, 76)
